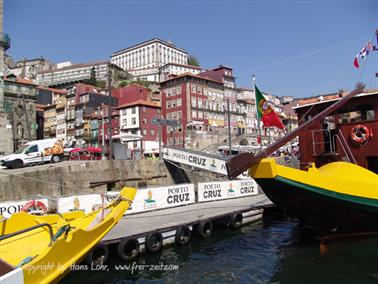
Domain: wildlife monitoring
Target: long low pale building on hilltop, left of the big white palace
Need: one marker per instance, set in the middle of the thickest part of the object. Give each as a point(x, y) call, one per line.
point(72, 74)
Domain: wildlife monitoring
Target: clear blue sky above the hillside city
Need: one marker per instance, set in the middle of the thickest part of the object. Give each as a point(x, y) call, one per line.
point(294, 48)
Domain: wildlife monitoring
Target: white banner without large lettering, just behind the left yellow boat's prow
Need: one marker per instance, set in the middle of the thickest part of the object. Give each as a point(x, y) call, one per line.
point(79, 202)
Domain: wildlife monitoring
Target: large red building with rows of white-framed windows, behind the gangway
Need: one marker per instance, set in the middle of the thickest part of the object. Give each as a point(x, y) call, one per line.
point(197, 100)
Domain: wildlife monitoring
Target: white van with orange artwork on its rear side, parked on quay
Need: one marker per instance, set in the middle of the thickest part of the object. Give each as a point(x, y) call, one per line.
point(35, 152)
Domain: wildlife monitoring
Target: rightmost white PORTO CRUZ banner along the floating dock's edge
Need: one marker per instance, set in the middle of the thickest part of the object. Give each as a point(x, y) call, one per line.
point(211, 191)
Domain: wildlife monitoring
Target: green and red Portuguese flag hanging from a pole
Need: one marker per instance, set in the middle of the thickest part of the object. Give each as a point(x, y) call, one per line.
point(265, 112)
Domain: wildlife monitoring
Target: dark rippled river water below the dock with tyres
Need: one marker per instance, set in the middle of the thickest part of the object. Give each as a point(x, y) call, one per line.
point(273, 250)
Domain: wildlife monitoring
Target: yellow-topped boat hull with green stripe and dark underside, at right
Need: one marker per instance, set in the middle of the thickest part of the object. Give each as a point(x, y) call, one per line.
point(336, 198)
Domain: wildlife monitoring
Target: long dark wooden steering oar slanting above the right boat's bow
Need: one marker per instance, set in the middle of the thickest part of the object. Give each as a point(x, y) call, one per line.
point(242, 162)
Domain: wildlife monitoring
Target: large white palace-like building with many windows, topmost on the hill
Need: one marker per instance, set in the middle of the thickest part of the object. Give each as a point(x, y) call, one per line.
point(143, 60)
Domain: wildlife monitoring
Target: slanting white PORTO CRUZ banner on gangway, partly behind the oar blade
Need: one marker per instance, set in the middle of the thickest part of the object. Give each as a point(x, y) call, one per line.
point(211, 164)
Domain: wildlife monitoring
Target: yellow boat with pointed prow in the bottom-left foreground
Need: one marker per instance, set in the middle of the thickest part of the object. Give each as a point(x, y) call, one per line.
point(44, 259)
